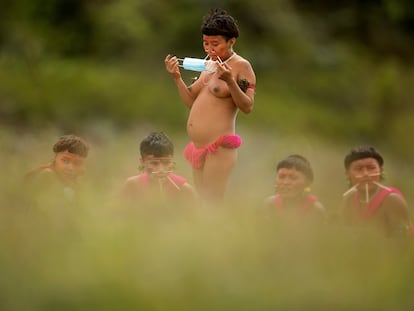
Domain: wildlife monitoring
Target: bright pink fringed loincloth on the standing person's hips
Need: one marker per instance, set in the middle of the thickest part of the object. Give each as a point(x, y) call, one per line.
point(197, 156)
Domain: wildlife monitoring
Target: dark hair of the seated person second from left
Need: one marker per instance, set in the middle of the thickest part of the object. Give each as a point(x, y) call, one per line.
point(157, 144)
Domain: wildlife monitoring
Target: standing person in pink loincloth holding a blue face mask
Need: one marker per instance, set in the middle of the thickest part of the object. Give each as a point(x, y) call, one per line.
point(214, 100)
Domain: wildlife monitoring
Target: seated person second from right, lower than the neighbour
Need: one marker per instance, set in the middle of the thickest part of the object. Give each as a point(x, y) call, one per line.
point(294, 176)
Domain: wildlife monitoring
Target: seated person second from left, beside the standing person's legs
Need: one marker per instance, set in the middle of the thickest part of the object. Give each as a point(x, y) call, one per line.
point(157, 182)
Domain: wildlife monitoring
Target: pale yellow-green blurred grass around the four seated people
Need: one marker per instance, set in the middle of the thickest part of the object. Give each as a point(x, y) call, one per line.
point(97, 256)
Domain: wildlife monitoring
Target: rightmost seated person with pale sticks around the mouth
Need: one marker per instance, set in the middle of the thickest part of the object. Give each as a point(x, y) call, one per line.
point(369, 203)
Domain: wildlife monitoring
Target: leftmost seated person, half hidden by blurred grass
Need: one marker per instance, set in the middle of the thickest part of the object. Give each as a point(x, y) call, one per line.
point(61, 175)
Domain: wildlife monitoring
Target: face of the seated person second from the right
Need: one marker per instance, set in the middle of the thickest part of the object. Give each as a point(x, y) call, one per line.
point(290, 182)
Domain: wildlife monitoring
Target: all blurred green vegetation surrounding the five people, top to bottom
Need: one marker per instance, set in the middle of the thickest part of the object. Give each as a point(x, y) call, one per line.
point(329, 77)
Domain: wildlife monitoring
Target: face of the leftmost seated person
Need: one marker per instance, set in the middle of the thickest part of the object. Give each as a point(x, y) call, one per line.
point(69, 166)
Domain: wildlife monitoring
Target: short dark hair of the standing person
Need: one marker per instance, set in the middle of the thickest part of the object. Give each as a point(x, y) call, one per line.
point(218, 23)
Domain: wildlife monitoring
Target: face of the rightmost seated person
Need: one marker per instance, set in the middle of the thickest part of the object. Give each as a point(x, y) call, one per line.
point(364, 172)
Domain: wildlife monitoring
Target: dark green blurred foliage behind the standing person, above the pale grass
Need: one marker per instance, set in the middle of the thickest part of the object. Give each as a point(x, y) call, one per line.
point(342, 71)
